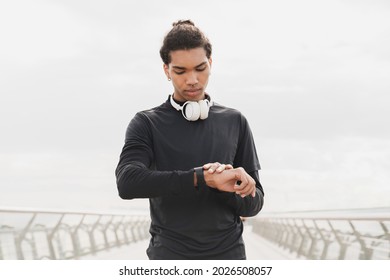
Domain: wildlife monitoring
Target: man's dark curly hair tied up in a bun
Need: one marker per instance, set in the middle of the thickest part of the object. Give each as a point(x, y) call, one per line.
point(184, 35)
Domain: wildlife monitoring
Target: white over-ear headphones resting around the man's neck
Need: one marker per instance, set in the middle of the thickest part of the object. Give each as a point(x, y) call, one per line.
point(193, 110)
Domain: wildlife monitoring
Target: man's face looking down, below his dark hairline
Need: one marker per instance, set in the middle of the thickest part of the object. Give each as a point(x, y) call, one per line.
point(189, 71)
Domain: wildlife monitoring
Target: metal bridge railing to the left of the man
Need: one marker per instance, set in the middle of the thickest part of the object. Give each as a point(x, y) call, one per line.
point(31, 234)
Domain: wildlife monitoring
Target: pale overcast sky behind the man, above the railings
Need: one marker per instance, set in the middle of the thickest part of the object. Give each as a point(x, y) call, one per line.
point(312, 77)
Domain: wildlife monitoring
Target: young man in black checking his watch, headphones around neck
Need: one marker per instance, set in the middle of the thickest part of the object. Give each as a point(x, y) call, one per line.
point(172, 156)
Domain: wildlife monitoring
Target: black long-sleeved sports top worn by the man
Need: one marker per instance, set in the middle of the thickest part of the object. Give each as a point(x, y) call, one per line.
point(161, 149)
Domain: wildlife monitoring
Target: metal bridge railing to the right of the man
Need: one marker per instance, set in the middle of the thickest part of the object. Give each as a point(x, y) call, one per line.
point(328, 237)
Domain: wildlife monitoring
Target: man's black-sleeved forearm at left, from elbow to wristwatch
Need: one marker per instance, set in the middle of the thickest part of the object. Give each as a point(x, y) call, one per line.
point(134, 180)
